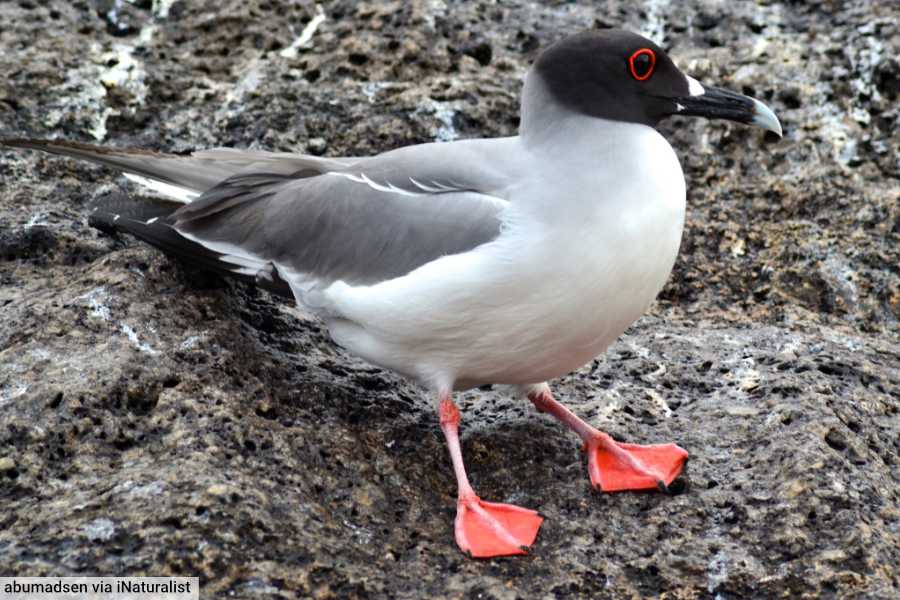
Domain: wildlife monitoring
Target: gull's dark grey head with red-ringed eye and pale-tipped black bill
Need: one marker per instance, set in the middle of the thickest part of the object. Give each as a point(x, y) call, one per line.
point(619, 75)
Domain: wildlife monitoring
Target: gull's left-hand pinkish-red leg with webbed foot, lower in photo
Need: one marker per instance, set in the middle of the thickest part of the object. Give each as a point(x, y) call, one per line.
point(484, 529)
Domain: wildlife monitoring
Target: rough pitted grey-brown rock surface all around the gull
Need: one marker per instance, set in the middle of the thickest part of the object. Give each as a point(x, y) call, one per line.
point(157, 420)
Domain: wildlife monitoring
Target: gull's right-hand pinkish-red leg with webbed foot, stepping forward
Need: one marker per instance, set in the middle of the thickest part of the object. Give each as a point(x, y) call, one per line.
point(615, 466)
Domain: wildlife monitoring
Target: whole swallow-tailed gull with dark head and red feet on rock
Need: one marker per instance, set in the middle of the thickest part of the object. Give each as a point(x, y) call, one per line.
point(509, 260)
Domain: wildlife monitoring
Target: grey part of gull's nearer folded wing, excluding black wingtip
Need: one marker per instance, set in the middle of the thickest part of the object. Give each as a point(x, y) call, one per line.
point(345, 225)
